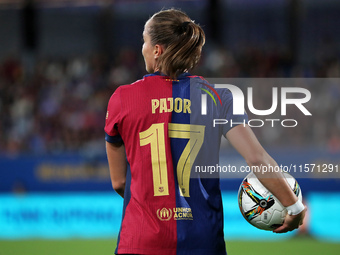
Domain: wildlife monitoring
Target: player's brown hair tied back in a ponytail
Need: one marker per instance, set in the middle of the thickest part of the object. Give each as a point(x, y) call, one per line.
point(181, 38)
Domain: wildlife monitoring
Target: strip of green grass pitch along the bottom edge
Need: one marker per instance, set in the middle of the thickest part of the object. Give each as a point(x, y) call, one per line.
point(295, 246)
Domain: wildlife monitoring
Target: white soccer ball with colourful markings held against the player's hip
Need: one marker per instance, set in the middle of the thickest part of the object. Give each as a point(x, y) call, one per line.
point(259, 207)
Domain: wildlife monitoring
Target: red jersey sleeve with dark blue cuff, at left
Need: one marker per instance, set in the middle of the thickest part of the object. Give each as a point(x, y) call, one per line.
point(113, 118)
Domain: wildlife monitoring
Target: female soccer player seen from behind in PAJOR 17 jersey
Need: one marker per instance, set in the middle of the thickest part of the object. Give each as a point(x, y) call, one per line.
point(156, 125)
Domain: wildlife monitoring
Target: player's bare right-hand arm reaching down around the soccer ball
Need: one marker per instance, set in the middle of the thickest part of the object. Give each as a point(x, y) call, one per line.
point(245, 142)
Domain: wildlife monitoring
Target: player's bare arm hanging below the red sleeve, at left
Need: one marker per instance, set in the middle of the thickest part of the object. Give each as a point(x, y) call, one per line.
point(118, 166)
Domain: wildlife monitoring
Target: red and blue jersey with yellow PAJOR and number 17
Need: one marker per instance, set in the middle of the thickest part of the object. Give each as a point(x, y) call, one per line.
point(169, 208)
